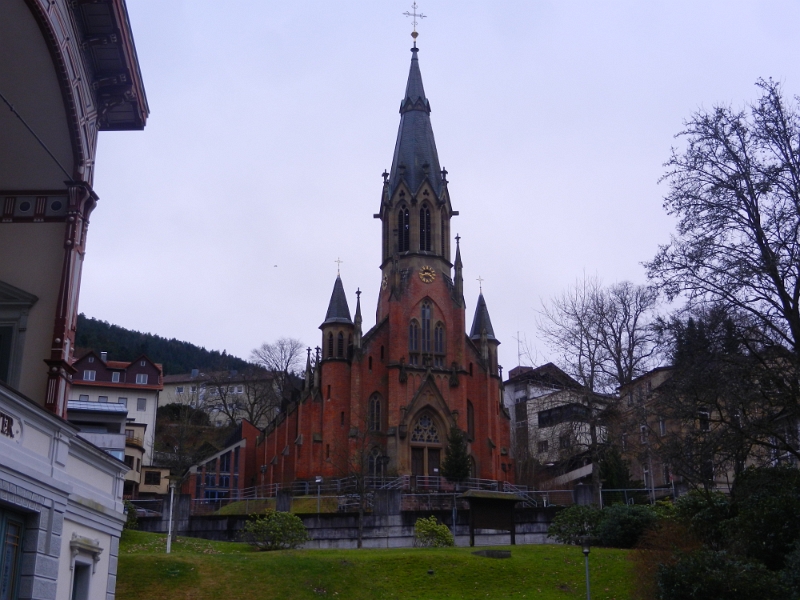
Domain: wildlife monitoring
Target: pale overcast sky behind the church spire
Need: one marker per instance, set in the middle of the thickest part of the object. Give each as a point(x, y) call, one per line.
point(271, 124)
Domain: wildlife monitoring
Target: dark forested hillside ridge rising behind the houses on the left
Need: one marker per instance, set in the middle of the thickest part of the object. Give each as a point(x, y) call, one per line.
point(127, 345)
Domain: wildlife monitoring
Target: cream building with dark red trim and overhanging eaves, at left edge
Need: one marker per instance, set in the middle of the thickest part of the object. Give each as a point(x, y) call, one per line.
point(68, 70)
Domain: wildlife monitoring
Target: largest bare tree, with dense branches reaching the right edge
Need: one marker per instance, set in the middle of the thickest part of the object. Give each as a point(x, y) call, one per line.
point(735, 189)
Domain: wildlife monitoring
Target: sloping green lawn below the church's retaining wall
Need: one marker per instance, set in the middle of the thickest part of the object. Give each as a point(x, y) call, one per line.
point(199, 569)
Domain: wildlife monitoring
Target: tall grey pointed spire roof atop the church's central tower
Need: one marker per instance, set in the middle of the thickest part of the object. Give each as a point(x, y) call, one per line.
point(415, 156)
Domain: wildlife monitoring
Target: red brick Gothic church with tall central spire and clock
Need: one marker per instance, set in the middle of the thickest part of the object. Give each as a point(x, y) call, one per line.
point(382, 402)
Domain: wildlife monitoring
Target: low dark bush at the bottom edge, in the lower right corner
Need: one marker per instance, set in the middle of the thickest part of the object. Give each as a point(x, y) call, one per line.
point(712, 575)
